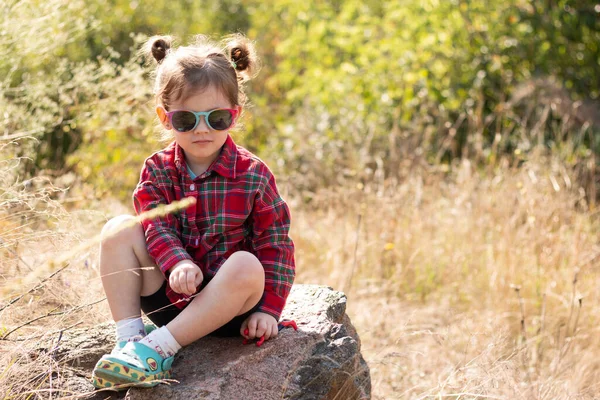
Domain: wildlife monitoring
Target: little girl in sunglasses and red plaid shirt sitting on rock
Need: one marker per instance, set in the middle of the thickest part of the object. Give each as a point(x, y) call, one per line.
point(225, 265)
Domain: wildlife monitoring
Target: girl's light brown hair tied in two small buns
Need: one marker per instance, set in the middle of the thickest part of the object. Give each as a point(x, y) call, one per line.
point(184, 70)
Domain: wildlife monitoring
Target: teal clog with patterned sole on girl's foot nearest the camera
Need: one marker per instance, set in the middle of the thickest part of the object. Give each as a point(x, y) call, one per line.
point(134, 364)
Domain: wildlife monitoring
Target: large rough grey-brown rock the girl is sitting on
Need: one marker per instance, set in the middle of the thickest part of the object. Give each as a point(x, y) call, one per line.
point(321, 360)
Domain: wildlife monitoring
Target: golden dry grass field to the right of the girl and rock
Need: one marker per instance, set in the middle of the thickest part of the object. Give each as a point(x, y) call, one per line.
point(441, 269)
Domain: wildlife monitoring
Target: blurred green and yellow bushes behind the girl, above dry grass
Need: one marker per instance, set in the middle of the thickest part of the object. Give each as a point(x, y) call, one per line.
point(348, 90)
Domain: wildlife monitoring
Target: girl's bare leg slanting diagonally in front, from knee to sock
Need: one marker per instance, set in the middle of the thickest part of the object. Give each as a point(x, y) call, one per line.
point(235, 289)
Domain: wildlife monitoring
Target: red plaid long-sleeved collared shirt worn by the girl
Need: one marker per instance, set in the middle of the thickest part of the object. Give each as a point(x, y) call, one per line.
point(237, 208)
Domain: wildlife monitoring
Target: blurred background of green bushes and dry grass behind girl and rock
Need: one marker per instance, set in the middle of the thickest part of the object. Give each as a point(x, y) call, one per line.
point(439, 158)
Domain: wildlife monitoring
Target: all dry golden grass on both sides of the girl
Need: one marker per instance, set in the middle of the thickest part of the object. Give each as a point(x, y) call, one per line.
point(431, 281)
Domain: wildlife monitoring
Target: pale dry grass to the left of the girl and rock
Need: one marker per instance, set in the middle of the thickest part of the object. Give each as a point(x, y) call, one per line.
point(35, 227)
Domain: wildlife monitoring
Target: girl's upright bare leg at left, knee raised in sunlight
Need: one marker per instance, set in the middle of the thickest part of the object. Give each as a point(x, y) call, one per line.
point(122, 257)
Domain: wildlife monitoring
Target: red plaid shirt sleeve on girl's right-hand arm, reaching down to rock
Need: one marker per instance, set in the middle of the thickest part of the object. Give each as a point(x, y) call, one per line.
point(274, 248)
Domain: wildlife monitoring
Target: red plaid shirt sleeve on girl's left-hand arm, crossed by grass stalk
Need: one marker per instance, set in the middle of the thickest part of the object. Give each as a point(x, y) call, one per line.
point(162, 238)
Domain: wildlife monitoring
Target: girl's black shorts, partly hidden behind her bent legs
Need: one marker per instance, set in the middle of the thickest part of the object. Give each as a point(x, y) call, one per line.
point(168, 312)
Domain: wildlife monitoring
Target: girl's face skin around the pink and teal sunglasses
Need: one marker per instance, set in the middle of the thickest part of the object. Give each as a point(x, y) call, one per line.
point(202, 145)
